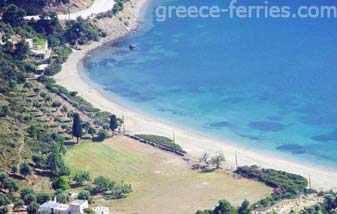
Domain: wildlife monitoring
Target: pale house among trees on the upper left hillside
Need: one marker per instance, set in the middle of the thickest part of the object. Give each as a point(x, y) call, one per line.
point(39, 49)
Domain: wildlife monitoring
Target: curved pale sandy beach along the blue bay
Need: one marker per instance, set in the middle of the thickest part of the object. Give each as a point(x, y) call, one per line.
point(138, 122)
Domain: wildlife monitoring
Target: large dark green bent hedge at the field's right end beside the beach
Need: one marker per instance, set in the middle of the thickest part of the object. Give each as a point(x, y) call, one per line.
point(286, 185)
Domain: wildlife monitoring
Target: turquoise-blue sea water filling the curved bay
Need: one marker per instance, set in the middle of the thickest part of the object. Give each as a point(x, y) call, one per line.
point(268, 84)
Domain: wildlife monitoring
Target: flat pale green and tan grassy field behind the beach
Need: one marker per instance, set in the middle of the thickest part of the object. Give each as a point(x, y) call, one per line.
point(162, 182)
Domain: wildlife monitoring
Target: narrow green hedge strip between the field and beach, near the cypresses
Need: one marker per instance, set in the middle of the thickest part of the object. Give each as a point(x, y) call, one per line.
point(161, 141)
